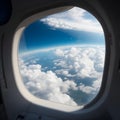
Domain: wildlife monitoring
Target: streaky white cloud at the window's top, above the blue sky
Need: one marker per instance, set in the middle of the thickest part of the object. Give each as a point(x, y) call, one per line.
point(74, 19)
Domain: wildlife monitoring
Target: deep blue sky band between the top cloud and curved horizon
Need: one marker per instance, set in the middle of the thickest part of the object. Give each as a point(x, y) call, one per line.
point(39, 35)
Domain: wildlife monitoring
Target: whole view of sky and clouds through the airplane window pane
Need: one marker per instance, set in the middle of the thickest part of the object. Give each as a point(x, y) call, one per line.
point(61, 57)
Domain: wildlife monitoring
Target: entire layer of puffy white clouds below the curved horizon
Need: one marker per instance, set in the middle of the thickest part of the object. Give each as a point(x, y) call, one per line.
point(70, 64)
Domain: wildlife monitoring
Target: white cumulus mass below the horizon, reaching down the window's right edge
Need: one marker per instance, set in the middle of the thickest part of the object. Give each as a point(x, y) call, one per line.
point(84, 63)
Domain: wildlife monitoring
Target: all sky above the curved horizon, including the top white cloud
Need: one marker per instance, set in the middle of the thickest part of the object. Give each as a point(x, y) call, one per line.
point(73, 27)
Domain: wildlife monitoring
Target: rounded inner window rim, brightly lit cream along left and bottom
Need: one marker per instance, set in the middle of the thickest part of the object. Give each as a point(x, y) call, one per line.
point(24, 92)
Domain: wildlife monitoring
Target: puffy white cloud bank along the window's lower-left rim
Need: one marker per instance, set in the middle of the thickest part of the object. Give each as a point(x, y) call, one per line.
point(46, 85)
